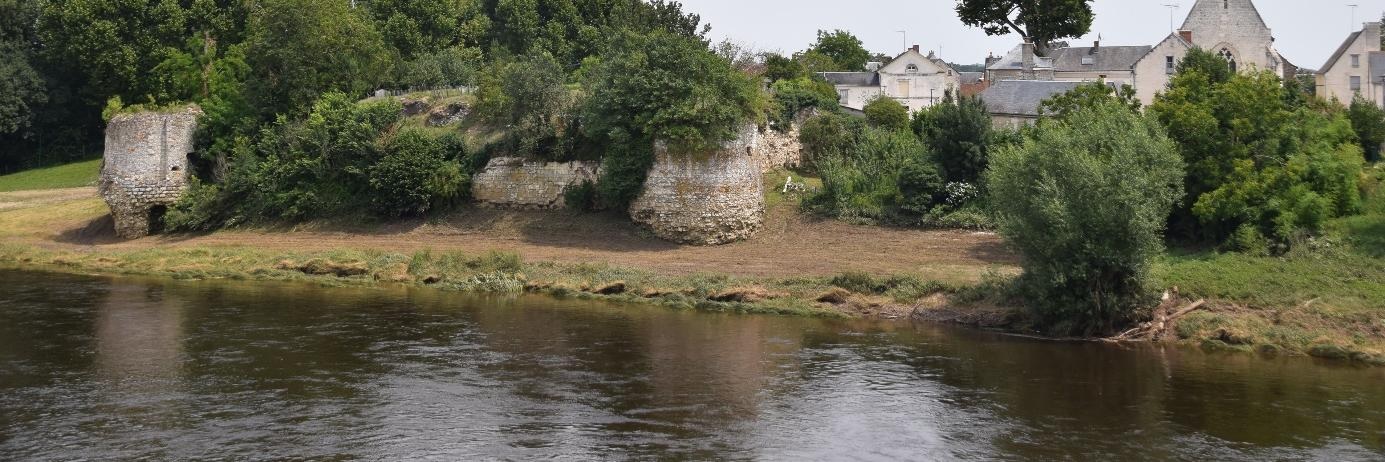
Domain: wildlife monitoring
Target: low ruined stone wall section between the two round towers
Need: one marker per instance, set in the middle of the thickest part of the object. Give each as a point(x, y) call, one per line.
point(524, 185)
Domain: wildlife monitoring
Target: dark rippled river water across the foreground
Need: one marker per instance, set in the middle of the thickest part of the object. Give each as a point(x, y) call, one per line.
point(131, 369)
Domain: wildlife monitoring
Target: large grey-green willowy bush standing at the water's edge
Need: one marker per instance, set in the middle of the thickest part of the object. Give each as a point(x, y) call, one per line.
point(1085, 201)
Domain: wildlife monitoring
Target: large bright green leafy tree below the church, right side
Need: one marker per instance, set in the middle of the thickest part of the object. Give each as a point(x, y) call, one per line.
point(1260, 168)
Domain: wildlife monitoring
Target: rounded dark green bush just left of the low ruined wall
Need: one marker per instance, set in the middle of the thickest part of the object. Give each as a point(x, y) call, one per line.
point(413, 176)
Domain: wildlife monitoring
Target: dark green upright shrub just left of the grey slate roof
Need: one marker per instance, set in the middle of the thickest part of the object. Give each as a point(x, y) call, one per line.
point(958, 132)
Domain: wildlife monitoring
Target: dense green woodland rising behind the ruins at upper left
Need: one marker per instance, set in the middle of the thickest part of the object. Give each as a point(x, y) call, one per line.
point(247, 63)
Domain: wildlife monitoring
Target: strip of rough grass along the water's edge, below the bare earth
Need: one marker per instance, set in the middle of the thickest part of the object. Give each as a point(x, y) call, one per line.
point(502, 273)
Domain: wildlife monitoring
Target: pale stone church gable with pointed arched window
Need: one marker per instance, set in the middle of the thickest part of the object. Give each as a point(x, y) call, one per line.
point(1235, 31)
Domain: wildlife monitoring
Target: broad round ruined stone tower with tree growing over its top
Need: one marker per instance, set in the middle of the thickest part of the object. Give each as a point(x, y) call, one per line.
point(708, 198)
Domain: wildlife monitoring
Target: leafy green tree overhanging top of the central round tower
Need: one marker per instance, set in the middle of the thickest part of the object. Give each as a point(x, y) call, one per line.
point(670, 89)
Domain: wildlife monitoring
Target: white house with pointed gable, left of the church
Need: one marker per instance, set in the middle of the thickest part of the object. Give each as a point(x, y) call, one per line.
point(913, 80)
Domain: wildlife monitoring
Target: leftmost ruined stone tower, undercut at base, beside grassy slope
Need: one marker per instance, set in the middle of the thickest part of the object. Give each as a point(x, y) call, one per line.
point(145, 167)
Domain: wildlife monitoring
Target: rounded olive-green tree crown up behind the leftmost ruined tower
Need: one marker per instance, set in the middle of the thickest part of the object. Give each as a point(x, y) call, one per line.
point(301, 49)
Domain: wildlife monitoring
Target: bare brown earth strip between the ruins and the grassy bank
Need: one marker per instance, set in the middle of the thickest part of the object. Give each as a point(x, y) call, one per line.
point(790, 246)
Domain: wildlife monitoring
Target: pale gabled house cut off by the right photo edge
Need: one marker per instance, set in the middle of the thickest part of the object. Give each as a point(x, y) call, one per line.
point(1357, 68)
